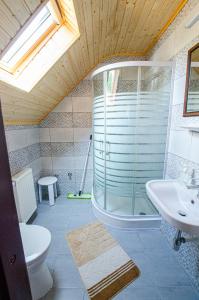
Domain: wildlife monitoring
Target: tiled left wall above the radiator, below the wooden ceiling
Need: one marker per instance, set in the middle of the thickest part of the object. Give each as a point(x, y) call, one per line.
point(24, 149)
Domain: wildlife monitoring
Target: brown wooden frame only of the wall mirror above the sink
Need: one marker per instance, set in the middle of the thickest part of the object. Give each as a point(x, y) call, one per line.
point(185, 113)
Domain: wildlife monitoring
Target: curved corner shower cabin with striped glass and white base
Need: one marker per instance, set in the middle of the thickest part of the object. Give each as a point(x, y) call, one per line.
point(130, 125)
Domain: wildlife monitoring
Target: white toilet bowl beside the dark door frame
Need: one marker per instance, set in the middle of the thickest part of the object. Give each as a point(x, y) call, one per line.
point(36, 241)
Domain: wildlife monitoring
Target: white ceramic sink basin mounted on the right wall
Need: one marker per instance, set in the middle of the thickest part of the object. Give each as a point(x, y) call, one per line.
point(178, 205)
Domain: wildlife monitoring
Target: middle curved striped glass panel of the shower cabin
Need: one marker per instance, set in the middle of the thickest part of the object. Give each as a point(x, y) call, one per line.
point(120, 132)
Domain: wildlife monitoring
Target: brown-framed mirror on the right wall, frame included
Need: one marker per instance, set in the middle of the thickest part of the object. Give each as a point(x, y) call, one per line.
point(191, 102)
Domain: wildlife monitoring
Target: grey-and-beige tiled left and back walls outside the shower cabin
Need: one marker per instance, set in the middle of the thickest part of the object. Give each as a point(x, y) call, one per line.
point(59, 145)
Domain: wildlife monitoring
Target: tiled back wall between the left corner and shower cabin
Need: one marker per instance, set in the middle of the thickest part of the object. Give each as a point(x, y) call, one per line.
point(64, 137)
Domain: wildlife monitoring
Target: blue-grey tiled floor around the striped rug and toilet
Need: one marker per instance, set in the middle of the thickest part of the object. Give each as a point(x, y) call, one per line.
point(162, 278)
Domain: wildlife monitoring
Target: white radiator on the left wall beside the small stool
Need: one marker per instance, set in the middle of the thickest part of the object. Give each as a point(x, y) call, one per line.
point(24, 193)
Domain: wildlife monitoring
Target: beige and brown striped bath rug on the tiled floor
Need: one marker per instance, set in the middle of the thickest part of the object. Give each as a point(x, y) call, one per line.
point(104, 266)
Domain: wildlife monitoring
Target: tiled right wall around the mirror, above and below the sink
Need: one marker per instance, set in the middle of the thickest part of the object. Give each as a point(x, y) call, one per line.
point(183, 150)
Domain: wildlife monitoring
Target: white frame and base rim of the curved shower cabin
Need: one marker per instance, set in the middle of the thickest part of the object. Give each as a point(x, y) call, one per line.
point(132, 221)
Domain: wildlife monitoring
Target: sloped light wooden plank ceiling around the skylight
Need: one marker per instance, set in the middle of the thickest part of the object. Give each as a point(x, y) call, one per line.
point(108, 28)
